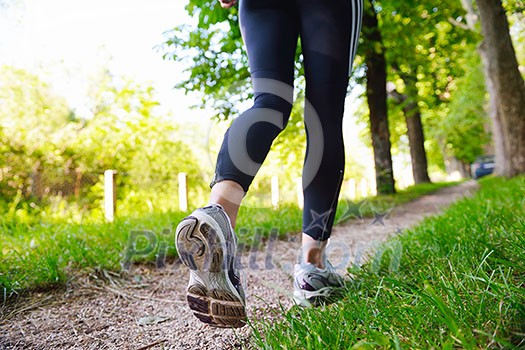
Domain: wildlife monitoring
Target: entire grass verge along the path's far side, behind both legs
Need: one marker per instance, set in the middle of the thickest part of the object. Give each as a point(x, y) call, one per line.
point(39, 253)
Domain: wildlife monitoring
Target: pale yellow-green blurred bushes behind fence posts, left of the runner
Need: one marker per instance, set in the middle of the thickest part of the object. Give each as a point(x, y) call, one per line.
point(53, 161)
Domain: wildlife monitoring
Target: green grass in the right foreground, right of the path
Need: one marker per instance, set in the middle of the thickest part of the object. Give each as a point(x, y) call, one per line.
point(459, 284)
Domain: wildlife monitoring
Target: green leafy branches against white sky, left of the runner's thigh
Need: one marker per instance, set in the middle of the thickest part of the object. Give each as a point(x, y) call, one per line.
point(219, 66)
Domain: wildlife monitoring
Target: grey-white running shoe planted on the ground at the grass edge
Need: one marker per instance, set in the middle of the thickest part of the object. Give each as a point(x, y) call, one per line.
point(315, 286)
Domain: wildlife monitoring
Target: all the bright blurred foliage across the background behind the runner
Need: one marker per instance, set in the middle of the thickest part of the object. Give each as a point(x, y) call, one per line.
point(52, 159)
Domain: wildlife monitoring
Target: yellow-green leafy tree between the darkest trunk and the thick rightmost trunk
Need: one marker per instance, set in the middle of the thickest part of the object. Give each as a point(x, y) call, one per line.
point(424, 53)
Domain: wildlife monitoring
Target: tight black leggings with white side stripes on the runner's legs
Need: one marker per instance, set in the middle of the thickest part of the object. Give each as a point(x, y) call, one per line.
point(329, 32)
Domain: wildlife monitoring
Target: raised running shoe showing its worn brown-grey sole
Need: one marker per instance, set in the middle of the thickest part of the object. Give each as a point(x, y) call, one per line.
point(206, 244)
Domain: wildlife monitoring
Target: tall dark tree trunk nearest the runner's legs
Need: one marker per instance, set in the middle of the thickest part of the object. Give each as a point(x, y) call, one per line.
point(377, 103)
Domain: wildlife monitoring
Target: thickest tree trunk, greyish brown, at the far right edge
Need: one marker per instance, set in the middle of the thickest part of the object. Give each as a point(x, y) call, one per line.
point(506, 89)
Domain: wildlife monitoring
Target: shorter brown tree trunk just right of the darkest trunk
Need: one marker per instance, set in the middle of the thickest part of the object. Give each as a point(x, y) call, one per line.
point(416, 137)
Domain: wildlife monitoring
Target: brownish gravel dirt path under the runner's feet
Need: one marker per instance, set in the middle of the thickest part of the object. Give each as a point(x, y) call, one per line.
point(148, 309)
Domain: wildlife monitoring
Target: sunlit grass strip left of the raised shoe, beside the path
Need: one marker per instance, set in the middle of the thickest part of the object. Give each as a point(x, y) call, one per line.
point(42, 256)
